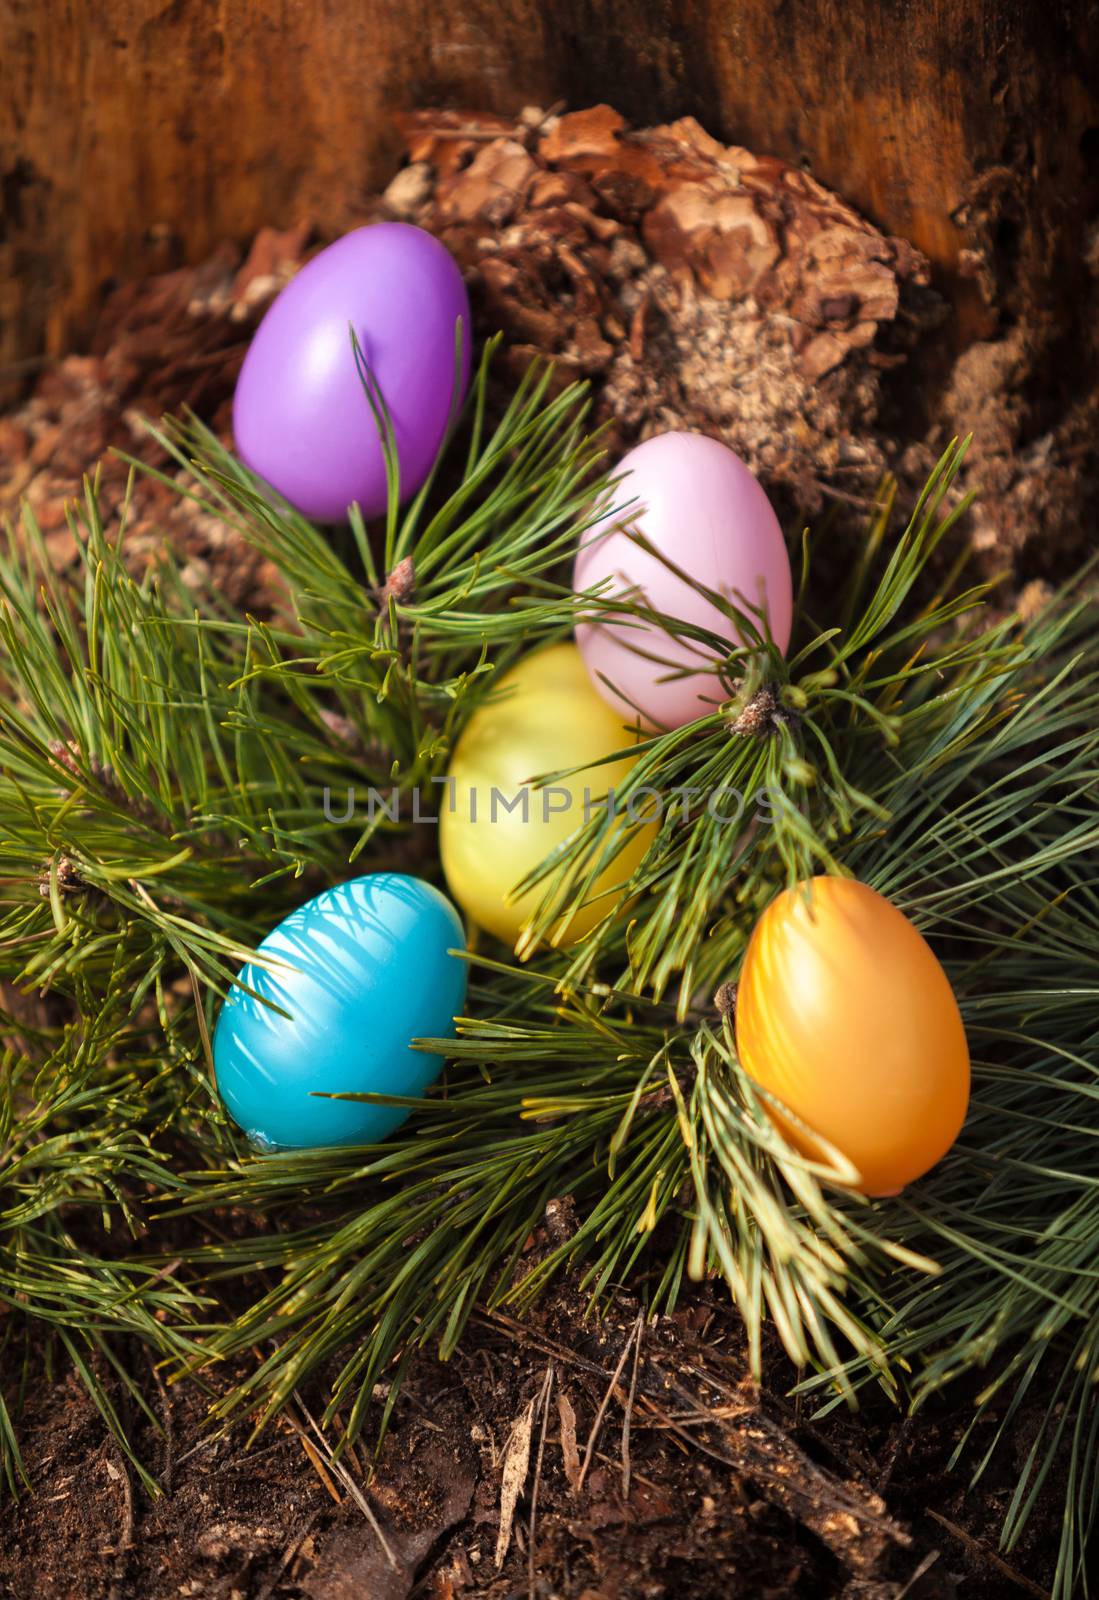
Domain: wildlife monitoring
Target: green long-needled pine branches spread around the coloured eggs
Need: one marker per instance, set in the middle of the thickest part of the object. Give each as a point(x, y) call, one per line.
point(162, 766)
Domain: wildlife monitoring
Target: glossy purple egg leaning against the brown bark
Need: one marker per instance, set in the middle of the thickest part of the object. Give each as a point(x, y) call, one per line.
point(302, 417)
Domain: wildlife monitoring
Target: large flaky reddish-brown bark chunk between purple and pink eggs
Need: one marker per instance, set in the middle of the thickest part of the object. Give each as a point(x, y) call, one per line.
point(703, 286)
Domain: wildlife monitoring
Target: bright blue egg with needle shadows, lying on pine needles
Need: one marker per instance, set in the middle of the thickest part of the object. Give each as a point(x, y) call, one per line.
point(364, 970)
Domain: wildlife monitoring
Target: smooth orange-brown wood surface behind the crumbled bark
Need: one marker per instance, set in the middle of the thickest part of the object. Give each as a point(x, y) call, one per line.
point(138, 134)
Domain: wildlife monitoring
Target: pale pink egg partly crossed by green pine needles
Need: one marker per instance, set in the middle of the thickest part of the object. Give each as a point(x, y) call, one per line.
point(700, 506)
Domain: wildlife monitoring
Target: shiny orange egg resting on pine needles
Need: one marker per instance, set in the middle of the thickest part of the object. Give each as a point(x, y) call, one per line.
point(845, 1015)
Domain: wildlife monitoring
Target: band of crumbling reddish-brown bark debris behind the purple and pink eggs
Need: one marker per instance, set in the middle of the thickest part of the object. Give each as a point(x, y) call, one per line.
point(698, 286)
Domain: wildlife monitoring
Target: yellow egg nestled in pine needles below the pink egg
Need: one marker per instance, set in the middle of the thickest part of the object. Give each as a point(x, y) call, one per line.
point(495, 828)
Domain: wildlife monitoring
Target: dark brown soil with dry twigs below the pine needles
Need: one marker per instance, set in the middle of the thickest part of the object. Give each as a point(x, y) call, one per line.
point(647, 1468)
